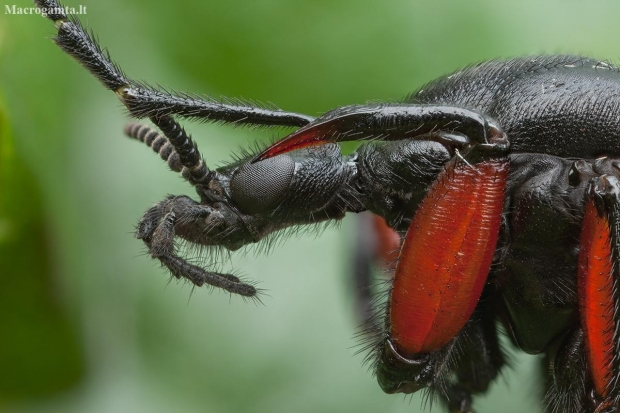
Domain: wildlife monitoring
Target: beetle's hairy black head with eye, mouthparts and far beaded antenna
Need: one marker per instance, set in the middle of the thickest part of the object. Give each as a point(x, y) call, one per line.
point(244, 203)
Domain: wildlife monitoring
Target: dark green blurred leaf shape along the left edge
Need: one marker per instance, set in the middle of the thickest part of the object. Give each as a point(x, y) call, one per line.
point(40, 353)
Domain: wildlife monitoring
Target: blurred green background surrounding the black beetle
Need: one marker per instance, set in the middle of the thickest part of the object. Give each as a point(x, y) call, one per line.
point(89, 324)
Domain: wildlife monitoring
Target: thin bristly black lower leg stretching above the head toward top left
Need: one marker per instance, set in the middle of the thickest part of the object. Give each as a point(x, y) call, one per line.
point(143, 101)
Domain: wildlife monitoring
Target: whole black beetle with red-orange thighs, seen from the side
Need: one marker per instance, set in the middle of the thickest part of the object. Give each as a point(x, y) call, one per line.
point(501, 179)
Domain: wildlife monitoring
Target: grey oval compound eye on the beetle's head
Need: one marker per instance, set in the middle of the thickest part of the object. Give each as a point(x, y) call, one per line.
point(259, 187)
